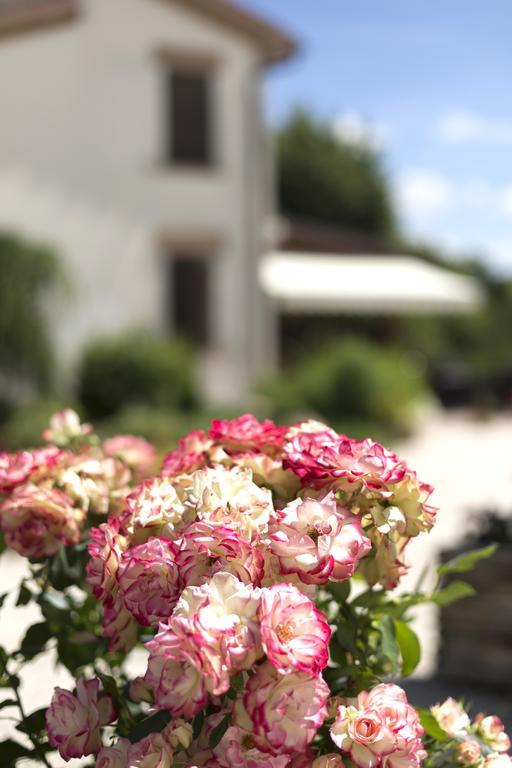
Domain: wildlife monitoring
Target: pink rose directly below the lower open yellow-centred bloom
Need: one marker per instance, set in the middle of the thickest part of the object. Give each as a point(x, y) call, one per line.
point(283, 712)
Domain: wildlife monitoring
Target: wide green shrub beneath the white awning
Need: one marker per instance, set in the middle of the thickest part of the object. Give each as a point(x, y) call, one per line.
point(351, 381)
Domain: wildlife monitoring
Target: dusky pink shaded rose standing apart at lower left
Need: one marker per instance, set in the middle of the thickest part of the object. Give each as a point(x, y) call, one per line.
point(73, 722)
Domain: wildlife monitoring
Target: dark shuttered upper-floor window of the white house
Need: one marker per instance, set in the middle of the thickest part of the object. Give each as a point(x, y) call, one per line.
point(188, 134)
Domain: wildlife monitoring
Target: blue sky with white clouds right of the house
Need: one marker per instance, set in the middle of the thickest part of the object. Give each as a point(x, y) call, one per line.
point(430, 83)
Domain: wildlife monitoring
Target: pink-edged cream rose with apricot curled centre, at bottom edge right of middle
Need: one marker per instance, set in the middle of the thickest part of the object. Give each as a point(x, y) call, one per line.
point(379, 728)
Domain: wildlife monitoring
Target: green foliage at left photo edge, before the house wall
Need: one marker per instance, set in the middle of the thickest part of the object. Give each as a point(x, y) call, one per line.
point(29, 272)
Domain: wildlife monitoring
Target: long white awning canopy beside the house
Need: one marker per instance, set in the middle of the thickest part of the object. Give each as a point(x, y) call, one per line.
point(310, 283)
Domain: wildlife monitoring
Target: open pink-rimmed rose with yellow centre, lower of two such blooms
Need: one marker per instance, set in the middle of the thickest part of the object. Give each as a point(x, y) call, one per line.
point(294, 633)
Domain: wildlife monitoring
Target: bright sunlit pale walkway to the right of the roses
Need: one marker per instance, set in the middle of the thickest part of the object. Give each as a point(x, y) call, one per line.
point(469, 463)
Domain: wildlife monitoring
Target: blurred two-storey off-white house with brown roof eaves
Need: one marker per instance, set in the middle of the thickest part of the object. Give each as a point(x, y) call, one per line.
point(131, 138)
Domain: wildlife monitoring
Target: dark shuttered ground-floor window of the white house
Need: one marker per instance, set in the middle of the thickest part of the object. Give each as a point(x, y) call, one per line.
point(190, 287)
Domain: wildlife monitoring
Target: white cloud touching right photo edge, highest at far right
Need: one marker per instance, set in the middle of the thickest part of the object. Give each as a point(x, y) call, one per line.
point(463, 127)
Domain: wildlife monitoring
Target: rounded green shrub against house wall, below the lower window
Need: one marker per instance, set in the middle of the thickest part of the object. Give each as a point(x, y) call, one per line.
point(135, 369)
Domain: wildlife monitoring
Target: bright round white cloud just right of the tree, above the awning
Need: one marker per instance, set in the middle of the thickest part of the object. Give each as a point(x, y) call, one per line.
point(422, 192)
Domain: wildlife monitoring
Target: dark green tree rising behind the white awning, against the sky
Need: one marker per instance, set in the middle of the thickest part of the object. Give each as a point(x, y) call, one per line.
point(331, 181)
